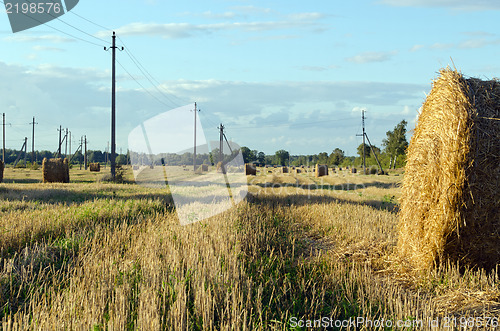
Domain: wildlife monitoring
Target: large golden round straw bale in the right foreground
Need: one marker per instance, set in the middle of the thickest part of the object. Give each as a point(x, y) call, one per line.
point(450, 203)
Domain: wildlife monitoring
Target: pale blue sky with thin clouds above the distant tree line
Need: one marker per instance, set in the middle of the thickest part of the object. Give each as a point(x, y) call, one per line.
point(291, 75)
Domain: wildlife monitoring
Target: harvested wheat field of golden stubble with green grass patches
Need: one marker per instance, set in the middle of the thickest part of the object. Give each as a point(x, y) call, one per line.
point(95, 255)
